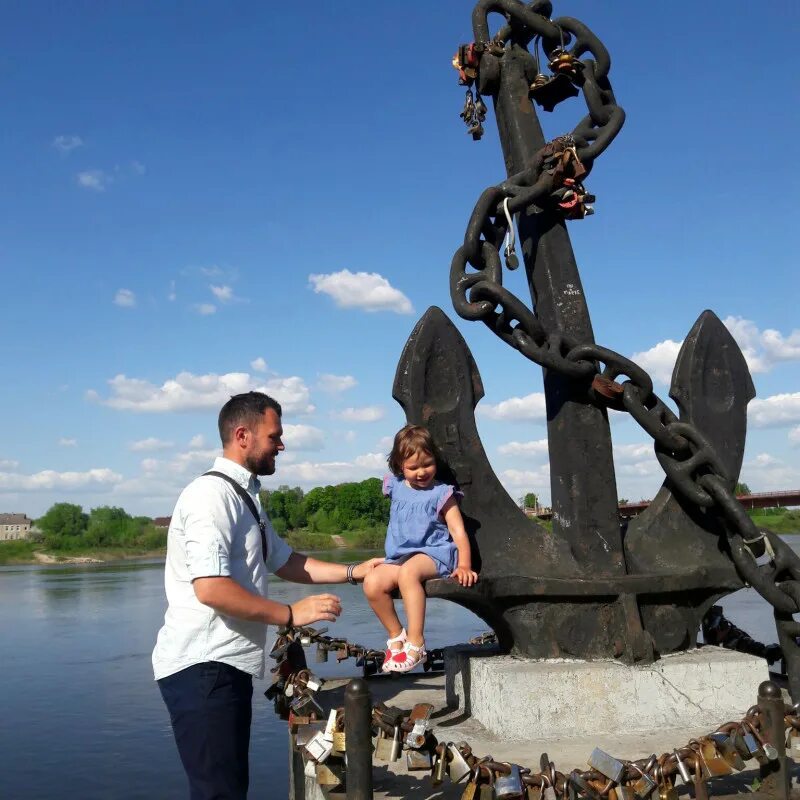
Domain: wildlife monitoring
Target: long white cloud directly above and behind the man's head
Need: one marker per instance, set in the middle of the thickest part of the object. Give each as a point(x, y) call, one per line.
point(188, 392)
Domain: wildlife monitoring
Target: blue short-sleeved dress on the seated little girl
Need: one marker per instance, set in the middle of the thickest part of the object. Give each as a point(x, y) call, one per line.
point(415, 525)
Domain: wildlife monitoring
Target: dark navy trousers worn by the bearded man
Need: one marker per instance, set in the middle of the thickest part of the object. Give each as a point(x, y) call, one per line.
point(210, 707)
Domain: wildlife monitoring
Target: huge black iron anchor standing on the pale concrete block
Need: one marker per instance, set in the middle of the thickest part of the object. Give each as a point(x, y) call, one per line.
point(590, 589)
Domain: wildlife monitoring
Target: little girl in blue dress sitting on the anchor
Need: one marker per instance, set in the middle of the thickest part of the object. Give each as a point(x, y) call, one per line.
point(426, 539)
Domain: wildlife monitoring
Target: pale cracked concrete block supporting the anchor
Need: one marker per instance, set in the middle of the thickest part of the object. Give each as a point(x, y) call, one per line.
point(520, 698)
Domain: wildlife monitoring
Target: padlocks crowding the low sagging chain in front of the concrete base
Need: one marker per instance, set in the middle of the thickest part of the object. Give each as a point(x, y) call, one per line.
point(397, 731)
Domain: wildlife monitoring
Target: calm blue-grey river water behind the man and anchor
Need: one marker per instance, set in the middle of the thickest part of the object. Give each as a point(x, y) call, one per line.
point(81, 715)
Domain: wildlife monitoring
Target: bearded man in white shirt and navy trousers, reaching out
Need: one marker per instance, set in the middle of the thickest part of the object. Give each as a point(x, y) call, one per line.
point(214, 634)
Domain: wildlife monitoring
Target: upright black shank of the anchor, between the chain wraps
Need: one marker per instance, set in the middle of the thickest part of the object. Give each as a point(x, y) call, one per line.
point(583, 485)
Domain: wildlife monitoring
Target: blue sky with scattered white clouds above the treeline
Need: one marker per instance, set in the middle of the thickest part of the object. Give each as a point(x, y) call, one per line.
point(200, 199)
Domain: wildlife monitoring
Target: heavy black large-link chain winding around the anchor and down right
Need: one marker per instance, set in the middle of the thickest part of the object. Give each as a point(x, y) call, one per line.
point(691, 463)
